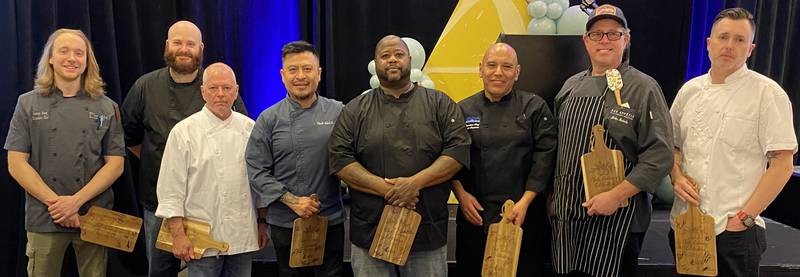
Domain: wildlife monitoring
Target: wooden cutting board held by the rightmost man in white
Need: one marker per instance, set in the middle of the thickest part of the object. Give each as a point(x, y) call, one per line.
point(695, 241)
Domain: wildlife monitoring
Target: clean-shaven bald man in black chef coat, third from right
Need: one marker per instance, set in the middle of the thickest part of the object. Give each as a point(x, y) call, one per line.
point(512, 153)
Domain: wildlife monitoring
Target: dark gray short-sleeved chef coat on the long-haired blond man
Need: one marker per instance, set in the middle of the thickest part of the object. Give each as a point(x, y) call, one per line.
point(67, 138)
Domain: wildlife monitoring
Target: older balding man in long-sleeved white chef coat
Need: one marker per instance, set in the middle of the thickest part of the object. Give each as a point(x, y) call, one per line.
point(204, 178)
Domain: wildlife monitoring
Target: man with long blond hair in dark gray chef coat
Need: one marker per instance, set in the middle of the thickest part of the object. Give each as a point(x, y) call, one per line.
point(65, 148)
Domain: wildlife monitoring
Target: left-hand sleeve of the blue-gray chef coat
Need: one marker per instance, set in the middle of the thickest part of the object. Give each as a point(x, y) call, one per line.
point(261, 165)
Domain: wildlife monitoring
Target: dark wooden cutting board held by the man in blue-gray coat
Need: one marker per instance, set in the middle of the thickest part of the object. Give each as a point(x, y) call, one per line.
point(308, 240)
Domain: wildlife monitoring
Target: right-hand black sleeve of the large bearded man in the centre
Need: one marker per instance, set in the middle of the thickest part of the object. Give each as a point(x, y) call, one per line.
point(454, 132)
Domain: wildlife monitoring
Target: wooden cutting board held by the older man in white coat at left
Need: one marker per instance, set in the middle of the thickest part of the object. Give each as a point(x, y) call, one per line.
point(199, 234)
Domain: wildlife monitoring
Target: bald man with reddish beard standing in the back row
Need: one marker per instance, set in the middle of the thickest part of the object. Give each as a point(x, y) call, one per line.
point(154, 104)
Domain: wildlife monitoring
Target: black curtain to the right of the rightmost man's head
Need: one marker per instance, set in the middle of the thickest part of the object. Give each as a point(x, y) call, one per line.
point(777, 36)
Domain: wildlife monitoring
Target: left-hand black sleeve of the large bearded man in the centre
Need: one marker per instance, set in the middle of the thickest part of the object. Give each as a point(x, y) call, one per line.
point(341, 149)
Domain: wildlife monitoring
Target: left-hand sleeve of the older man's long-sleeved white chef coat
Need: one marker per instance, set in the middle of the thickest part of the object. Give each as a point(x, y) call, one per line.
point(173, 177)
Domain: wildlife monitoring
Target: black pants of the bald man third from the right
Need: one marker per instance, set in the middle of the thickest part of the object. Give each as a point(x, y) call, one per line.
point(471, 243)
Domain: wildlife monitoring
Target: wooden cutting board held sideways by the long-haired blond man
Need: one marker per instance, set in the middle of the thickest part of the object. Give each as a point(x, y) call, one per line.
point(110, 229)
